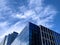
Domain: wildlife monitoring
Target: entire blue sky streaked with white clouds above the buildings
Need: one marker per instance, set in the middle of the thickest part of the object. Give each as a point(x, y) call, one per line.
point(15, 14)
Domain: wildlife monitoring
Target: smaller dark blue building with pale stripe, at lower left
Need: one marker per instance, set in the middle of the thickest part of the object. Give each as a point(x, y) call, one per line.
point(8, 39)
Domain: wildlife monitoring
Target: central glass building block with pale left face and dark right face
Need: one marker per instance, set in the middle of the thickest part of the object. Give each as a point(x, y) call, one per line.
point(29, 36)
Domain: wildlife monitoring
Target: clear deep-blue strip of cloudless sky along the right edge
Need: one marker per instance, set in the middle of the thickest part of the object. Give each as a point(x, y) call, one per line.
point(56, 4)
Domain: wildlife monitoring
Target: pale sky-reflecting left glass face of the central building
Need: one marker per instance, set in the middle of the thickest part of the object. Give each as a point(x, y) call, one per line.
point(23, 37)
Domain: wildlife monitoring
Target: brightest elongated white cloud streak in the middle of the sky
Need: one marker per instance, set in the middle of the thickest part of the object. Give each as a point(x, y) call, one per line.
point(24, 15)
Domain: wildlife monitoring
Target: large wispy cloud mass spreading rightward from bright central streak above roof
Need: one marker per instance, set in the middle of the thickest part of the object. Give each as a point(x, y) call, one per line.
point(40, 15)
